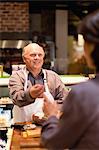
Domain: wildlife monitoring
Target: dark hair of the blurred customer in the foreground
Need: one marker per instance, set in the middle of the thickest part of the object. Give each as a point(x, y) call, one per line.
point(89, 28)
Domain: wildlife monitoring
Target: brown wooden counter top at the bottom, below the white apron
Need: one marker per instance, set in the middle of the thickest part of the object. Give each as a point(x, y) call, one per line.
point(26, 140)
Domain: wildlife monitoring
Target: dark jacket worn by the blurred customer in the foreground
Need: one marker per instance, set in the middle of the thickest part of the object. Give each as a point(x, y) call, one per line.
point(78, 127)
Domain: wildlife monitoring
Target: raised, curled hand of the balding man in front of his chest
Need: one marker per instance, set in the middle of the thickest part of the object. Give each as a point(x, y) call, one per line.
point(36, 91)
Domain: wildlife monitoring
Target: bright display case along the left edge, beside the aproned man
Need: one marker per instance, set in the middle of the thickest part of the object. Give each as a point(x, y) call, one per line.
point(6, 107)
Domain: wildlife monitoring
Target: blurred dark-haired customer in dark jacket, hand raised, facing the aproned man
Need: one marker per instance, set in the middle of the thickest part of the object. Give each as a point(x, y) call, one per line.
point(78, 125)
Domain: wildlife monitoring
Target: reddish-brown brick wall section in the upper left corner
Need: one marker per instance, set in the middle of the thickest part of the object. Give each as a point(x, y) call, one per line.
point(14, 18)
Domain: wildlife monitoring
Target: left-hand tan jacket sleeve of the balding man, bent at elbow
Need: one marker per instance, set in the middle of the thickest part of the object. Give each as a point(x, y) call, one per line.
point(16, 90)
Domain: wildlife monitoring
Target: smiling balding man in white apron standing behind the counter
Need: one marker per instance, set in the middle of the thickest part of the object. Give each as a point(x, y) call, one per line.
point(27, 85)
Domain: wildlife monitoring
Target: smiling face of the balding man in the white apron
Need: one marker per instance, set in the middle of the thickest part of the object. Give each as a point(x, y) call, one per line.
point(34, 57)
